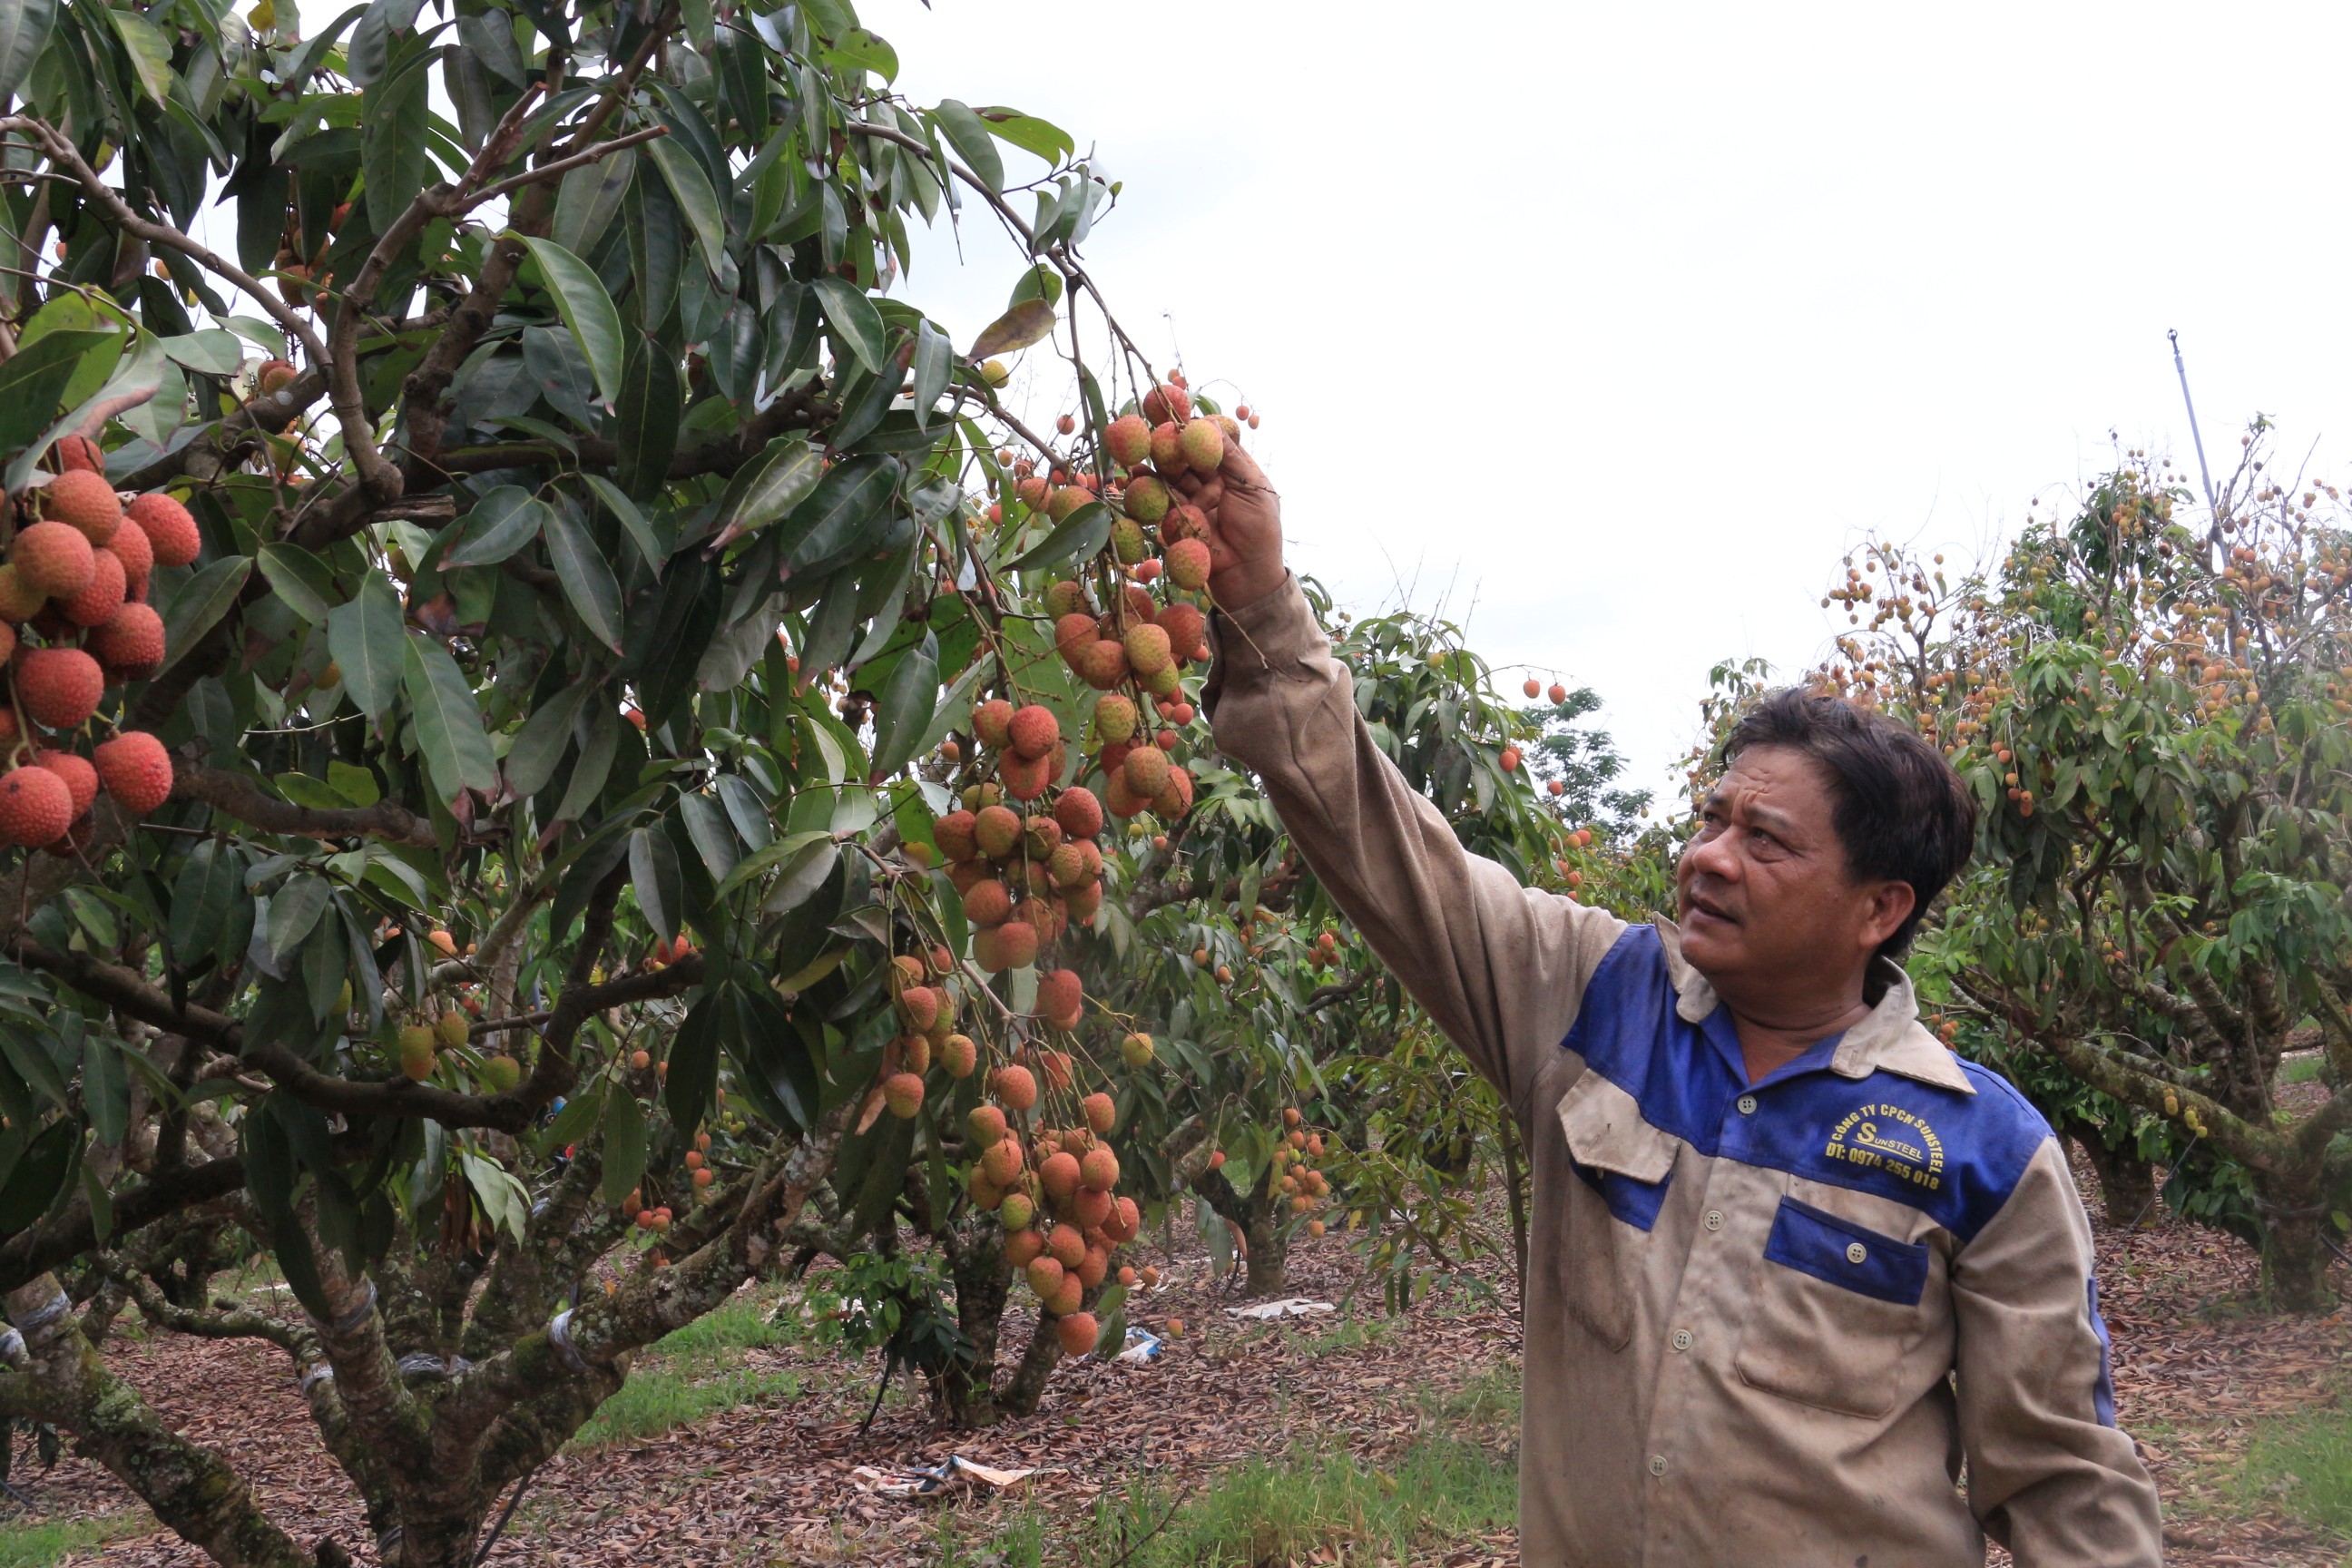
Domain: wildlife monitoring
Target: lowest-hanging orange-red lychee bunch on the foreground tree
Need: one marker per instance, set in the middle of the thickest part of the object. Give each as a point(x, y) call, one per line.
point(1055, 1191)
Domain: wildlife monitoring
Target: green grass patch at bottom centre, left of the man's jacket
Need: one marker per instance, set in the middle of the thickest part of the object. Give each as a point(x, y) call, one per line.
point(1448, 1487)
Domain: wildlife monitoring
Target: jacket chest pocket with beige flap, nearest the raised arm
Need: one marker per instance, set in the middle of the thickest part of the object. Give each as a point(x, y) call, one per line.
point(1619, 1170)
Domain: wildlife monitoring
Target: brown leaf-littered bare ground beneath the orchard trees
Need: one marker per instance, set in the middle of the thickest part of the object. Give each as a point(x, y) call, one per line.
point(770, 1482)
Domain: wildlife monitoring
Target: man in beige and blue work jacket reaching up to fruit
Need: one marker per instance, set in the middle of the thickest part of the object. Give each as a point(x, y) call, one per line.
point(1803, 1287)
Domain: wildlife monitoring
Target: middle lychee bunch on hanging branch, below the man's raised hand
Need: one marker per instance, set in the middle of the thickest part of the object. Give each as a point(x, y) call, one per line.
point(1024, 878)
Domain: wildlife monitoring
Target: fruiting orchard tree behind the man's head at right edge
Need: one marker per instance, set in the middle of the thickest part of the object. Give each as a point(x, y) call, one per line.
point(2153, 721)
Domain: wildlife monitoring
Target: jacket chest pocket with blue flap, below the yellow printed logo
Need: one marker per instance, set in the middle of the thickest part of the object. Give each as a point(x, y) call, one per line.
point(1833, 1315)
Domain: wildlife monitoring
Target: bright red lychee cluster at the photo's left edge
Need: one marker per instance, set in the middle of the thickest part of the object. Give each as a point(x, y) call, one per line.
point(76, 579)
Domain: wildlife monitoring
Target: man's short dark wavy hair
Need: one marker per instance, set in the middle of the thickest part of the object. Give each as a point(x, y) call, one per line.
point(1899, 810)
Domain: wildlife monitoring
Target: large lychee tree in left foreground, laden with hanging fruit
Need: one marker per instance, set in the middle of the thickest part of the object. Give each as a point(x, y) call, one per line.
point(469, 829)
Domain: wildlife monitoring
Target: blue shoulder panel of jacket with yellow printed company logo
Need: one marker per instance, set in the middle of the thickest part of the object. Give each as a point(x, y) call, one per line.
point(1953, 1155)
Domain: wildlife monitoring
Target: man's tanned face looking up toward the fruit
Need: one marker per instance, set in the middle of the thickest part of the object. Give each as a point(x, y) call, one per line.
point(1765, 894)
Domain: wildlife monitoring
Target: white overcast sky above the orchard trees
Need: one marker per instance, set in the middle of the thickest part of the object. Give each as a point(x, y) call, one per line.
point(1610, 328)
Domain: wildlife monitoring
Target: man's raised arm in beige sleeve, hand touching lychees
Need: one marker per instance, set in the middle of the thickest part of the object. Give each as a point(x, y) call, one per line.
point(1499, 967)
